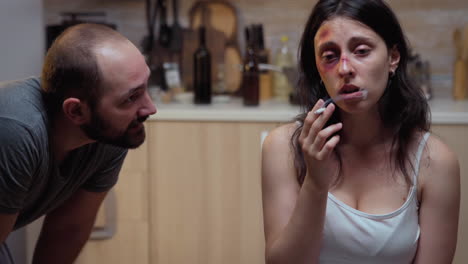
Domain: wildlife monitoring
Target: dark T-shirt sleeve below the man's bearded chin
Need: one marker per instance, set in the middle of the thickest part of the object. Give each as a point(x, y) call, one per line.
point(107, 174)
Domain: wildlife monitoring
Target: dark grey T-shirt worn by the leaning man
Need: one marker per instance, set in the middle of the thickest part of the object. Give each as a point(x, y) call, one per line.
point(30, 181)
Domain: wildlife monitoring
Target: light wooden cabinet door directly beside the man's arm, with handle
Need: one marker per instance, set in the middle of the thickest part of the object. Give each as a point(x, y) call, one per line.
point(129, 242)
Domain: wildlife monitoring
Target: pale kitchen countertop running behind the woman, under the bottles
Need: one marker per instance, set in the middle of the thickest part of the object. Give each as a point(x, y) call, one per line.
point(443, 111)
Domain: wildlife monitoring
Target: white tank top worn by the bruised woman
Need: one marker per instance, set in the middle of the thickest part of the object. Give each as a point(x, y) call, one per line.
point(352, 236)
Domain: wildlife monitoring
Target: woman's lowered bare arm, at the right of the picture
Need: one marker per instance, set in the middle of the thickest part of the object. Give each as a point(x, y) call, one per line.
point(440, 204)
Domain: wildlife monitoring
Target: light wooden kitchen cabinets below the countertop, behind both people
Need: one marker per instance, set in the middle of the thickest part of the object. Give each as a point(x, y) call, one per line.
point(192, 194)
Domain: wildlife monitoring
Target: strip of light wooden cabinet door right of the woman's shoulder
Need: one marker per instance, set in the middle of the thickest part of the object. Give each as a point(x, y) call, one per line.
point(456, 137)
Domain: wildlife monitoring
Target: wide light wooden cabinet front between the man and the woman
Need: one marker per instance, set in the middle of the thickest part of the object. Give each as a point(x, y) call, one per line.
point(206, 193)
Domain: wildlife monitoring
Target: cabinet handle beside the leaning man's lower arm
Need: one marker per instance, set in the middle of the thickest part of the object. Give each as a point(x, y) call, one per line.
point(108, 230)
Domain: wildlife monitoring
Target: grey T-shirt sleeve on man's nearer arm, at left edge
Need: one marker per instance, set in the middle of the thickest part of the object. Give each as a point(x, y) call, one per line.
point(19, 160)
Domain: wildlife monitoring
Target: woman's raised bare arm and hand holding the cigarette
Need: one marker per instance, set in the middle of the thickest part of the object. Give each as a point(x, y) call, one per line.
point(294, 215)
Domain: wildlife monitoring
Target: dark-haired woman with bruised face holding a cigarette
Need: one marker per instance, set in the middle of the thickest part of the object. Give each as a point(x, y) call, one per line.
point(364, 181)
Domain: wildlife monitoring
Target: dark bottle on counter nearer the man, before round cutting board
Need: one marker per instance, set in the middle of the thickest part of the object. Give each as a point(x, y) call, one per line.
point(202, 71)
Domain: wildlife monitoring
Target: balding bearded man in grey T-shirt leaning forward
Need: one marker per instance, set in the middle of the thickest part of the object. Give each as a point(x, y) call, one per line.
point(64, 137)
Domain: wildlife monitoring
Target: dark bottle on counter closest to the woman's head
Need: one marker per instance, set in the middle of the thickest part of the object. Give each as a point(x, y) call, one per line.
point(250, 72)
